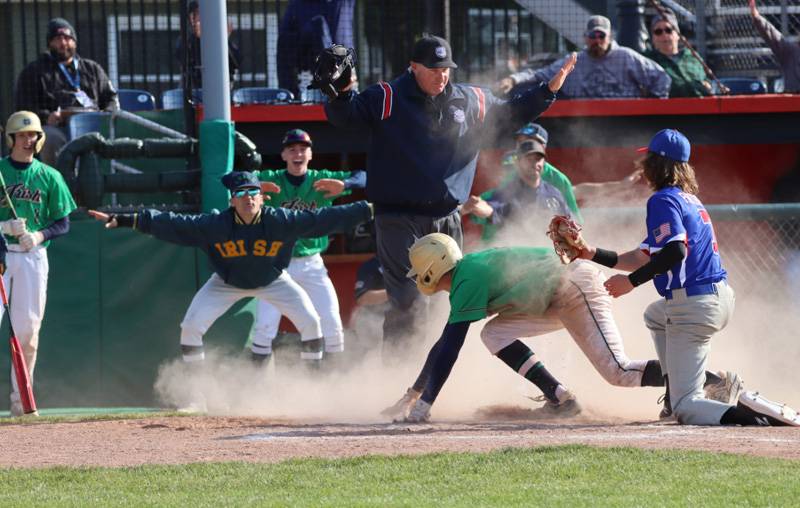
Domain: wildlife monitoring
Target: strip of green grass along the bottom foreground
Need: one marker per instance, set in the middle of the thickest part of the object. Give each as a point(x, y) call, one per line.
point(548, 476)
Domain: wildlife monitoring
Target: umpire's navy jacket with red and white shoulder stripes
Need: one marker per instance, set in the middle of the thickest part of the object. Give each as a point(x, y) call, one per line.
point(424, 150)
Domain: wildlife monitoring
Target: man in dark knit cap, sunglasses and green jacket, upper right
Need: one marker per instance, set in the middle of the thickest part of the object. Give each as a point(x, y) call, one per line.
point(686, 71)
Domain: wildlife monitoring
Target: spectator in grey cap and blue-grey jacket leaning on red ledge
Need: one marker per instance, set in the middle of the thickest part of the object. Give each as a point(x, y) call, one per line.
point(604, 70)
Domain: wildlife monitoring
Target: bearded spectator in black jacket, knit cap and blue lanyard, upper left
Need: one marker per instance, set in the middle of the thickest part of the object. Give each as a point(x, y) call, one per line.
point(60, 81)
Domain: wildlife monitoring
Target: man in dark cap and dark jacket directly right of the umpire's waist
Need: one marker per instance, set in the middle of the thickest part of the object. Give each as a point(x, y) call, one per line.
point(525, 196)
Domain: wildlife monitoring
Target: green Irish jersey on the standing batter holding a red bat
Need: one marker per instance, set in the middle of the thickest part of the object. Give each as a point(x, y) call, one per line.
point(39, 195)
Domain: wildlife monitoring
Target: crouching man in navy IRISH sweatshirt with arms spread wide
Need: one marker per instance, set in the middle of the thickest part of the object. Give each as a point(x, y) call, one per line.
point(249, 247)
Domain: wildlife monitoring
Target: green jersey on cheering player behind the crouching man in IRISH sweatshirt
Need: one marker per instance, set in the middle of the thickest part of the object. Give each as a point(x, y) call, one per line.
point(303, 197)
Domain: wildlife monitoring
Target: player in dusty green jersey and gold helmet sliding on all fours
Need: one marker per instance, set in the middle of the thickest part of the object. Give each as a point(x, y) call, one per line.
point(530, 293)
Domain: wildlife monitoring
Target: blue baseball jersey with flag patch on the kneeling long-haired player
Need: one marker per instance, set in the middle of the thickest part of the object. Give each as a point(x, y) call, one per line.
point(677, 216)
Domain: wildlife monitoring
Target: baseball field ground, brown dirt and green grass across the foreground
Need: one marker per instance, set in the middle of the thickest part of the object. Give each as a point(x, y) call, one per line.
point(500, 457)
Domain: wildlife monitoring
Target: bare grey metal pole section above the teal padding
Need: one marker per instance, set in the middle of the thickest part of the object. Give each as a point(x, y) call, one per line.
point(214, 54)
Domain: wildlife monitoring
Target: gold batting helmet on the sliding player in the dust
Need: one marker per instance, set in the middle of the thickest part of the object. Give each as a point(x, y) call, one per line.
point(431, 257)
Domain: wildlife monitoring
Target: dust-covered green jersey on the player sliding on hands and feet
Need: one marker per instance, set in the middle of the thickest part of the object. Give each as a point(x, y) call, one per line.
point(514, 280)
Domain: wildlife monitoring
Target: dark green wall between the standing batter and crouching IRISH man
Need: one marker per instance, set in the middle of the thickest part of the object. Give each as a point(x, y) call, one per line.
point(115, 302)
